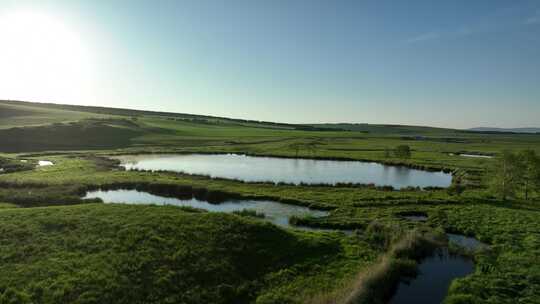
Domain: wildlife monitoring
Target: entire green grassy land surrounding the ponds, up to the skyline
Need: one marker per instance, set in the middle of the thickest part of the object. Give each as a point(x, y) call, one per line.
point(94, 253)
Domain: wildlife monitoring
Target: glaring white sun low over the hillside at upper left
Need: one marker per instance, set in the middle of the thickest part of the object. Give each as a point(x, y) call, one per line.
point(42, 59)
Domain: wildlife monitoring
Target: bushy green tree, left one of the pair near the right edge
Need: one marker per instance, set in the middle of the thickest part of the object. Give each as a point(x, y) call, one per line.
point(506, 175)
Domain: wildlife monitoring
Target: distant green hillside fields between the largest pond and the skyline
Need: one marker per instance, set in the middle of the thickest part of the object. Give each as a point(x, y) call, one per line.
point(183, 131)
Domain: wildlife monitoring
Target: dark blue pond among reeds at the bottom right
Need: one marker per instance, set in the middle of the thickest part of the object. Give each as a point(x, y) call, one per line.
point(435, 273)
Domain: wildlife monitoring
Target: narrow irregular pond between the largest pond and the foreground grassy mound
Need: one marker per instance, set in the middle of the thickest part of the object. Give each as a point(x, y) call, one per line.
point(275, 212)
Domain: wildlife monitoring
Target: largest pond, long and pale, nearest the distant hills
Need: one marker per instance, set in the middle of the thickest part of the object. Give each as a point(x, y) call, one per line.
point(288, 170)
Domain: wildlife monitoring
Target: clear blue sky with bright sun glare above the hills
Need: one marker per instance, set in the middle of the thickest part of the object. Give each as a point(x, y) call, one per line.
point(457, 64)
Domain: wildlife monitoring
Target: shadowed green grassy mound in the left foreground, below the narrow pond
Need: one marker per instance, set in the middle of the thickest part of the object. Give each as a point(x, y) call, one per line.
point(127, 254)
